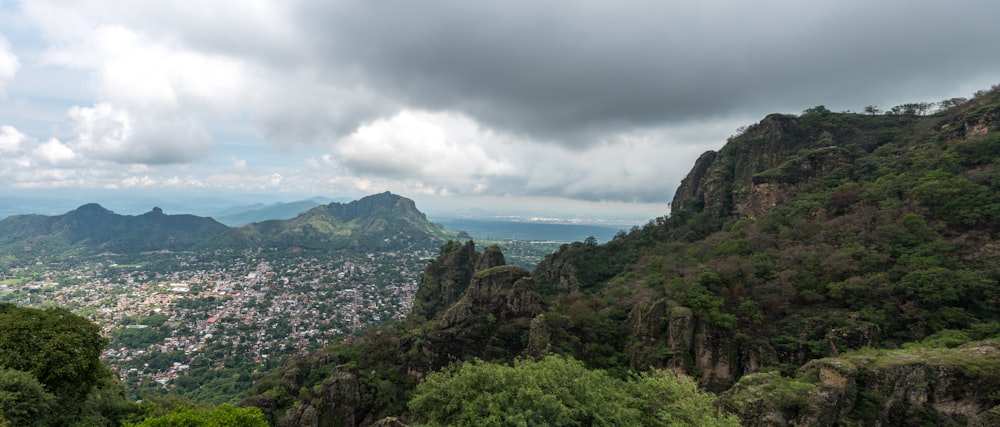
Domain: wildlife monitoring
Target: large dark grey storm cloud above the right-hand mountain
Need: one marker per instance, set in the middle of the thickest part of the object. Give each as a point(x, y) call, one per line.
point(572, 71)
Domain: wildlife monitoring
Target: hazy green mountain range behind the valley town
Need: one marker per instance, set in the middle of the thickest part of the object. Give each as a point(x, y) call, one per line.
point(381, 221)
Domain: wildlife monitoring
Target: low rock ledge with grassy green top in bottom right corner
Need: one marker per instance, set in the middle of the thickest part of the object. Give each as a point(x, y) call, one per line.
point(888, 388)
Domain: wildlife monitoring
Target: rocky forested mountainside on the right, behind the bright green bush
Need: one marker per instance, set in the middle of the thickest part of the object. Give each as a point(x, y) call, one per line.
point(819, 269)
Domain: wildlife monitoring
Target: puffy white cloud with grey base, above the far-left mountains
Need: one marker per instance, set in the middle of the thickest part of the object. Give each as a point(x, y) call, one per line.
point(108, 133)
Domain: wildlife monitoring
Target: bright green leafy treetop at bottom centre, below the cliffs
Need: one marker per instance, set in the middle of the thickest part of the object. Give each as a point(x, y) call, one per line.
point(558, 391)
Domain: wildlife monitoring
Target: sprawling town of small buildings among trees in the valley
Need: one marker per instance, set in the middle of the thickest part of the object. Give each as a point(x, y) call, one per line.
point(209, 325)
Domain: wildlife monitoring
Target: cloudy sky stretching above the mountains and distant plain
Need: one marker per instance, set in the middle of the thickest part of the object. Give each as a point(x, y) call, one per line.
point(556, 108)
